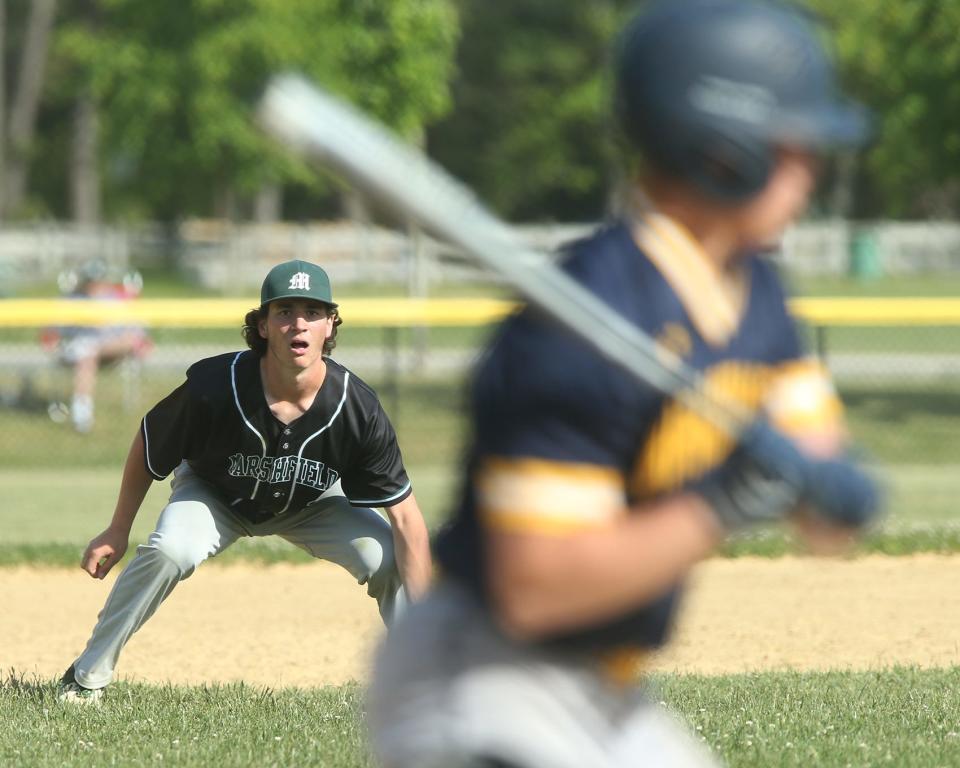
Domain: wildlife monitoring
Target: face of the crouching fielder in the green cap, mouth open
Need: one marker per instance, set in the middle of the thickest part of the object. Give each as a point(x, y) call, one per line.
point(295, 330)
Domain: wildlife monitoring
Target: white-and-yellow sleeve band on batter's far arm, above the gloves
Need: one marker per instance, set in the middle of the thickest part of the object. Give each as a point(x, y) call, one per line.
point(801, 397)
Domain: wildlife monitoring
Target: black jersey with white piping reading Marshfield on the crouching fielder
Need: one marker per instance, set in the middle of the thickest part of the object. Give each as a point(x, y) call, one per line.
point(218, 420)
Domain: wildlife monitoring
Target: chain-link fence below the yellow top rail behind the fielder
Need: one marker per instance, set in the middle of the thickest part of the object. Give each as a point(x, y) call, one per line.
point(900, 384)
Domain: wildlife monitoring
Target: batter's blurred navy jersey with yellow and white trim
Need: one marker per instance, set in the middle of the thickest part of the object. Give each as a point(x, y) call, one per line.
point(564, 441)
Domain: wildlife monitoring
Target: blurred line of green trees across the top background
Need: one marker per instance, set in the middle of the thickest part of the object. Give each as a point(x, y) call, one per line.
point(138, 110)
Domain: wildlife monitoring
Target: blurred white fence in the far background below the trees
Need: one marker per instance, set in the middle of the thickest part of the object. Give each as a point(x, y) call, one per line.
point(232, 258)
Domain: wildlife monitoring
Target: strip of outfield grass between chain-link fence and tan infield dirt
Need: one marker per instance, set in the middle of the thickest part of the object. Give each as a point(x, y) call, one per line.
point(50, 515)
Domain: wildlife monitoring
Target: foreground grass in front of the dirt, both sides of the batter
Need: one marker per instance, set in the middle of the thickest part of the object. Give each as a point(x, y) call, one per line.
point(898, 717)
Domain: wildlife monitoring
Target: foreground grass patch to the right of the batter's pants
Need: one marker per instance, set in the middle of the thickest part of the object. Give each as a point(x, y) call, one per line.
point(903, 717)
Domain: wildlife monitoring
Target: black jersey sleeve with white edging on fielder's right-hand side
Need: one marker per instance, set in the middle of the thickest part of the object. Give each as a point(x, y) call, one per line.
point(376, 476)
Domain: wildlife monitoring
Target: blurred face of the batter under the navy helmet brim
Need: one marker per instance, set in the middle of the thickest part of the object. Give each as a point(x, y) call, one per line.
point(763, 220)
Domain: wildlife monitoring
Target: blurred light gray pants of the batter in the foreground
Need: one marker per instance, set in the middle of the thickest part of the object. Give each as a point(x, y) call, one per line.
point(449, 690)
